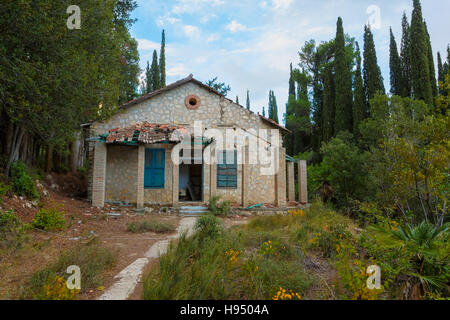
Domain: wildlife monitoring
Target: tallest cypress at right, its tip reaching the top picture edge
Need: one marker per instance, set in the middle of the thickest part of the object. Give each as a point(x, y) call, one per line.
point(420, 69)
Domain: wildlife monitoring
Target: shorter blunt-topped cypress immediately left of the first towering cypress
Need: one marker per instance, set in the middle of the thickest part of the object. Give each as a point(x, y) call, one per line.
point(329, 105)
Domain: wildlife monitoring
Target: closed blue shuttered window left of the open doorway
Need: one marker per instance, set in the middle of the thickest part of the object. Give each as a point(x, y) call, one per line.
point(154, 168)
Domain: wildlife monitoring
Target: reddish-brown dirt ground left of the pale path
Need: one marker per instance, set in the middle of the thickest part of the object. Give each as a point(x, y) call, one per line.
point(84, 222)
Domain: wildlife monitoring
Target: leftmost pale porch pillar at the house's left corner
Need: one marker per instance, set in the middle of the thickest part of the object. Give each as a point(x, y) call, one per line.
point(99, 175)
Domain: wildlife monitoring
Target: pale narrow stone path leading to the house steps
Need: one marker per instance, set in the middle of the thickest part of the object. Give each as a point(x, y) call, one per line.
point(128, 278)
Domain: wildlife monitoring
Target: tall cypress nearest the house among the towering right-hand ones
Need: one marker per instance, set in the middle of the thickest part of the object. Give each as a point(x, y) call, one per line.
point(343, 82)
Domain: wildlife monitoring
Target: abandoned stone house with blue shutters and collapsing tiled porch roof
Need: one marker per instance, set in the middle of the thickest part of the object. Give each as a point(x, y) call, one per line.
point(131, 154)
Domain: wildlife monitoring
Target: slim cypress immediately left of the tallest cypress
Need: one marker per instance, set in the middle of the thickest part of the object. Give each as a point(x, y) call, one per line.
point(405, 54)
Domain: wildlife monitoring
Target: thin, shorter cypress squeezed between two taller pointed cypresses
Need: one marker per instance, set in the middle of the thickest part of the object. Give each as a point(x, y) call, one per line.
point(360, 111)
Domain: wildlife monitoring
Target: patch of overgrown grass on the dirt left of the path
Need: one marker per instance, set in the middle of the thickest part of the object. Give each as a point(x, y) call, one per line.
point(92, 259)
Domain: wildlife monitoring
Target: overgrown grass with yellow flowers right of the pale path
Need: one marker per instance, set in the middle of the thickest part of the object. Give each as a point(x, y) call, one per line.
point(228, 264)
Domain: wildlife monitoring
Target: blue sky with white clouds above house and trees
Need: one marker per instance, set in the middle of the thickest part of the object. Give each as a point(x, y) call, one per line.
point(249, 44)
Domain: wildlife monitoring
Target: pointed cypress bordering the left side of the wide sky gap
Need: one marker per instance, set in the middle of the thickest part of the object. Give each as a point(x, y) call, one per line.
point(373, 80)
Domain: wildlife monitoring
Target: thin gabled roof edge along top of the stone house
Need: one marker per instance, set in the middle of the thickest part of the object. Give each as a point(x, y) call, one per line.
point(188, 79)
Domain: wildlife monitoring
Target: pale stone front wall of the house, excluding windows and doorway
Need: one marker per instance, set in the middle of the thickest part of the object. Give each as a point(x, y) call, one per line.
point(122, 167)
